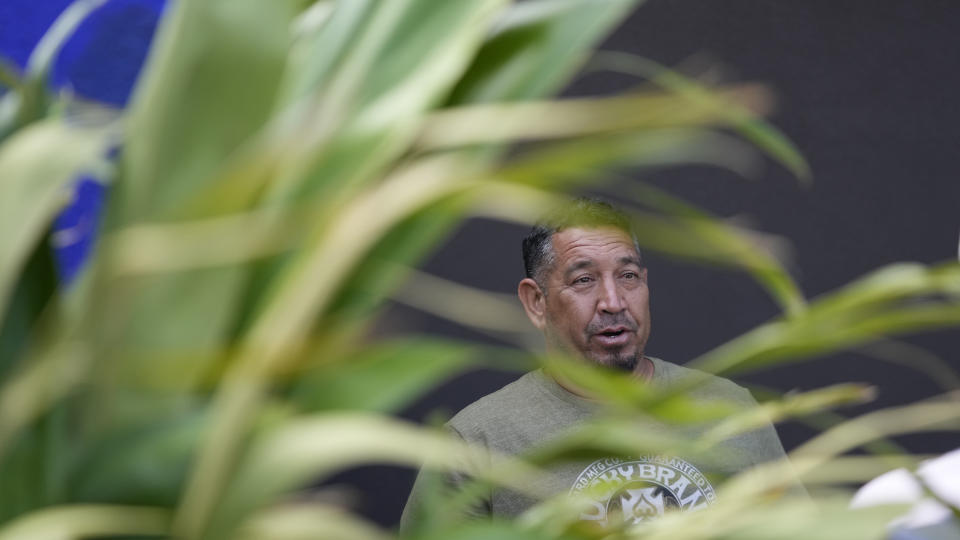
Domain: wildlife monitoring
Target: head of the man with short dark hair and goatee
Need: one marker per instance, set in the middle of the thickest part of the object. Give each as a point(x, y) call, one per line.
point(586, 286)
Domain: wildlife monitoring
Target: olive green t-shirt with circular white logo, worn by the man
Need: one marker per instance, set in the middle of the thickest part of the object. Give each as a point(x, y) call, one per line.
point(535, 409)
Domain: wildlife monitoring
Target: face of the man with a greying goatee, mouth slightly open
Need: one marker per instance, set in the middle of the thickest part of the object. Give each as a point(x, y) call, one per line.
point(597, 301)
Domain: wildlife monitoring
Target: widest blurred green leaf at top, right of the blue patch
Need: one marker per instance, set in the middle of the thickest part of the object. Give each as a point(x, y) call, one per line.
point(208, 86)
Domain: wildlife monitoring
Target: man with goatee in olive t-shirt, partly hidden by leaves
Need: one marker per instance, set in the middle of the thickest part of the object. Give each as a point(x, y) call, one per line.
point(586, 290)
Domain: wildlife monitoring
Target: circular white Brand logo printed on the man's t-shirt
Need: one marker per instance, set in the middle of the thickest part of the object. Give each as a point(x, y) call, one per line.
point(636, 490)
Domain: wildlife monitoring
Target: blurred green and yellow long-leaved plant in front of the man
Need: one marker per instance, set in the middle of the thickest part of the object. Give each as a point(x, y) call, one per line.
point(284, 165)
